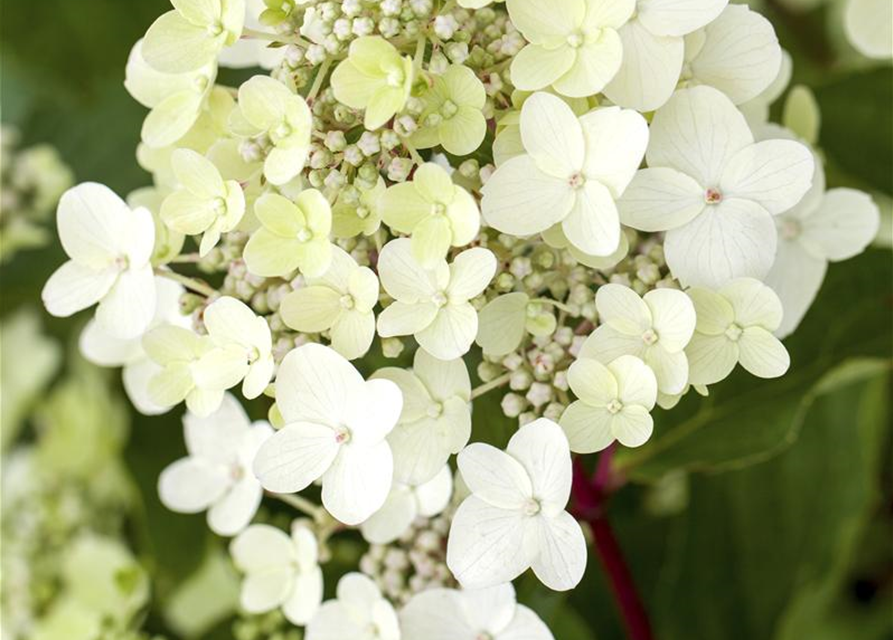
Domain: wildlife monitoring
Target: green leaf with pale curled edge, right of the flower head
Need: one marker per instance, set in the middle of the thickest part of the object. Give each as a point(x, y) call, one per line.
point(746, 420)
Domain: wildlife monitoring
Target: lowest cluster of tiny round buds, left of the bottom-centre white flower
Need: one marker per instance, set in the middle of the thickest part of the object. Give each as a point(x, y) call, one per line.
point(413, 563)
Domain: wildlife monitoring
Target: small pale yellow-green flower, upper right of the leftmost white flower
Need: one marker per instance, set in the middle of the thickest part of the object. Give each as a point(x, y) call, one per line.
point(205, 203)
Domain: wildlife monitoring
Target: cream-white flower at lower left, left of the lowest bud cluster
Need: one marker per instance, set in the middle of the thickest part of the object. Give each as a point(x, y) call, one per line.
point(281, 571)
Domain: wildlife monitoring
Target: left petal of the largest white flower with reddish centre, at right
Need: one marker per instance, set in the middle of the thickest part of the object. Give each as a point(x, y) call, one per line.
point(660, 199)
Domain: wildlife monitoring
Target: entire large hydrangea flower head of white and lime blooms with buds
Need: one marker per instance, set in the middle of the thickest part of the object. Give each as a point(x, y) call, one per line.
point(585, 198)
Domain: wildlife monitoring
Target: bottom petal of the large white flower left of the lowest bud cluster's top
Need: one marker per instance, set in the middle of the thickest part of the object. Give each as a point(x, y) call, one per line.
point(358, 482)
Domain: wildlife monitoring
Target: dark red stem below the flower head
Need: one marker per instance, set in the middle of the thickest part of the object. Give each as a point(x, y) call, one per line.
point(590, 496)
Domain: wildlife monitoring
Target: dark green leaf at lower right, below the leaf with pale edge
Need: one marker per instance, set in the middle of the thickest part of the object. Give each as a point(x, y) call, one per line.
point(760, 551)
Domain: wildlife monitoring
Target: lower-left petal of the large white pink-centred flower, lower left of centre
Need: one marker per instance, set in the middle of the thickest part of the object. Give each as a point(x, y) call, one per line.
point(295, 456)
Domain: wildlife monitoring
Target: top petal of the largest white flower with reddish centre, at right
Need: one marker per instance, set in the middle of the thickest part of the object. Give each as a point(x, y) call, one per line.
point(697, 132)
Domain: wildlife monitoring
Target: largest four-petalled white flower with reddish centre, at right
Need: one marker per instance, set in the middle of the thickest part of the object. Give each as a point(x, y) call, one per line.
point(715, 201)
